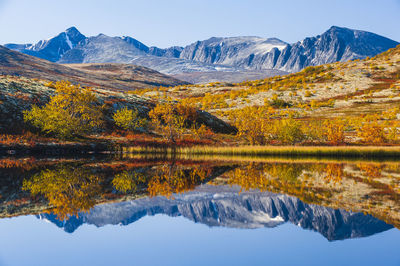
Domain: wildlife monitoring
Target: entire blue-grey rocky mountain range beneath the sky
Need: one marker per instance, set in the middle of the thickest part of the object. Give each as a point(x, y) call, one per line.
point(248, 55)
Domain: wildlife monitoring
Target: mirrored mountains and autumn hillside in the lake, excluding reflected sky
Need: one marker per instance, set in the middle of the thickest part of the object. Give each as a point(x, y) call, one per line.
point(338, 199)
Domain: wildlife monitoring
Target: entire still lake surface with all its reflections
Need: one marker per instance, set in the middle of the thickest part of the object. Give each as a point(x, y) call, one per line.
point(198, 211)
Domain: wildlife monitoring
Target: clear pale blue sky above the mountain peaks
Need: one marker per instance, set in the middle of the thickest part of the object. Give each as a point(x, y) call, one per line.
point(165, 23)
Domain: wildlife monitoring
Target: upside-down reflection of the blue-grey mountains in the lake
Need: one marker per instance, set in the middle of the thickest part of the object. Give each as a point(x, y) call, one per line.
point(224, 206)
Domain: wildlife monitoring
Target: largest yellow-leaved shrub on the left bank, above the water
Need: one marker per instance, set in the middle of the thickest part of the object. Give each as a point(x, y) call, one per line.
point(71, 111)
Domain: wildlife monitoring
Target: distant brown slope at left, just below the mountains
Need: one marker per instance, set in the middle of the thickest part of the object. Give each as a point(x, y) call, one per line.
point(113, 76)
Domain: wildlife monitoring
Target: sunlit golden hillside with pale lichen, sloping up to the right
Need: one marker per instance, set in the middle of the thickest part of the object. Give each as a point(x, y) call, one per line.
point(351, 103)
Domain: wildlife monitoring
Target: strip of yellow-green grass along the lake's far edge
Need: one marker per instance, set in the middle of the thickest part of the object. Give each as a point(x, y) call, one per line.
point(291, 151)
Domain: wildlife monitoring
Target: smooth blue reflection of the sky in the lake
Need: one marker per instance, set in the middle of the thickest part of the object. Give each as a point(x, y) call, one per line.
point(163, 240)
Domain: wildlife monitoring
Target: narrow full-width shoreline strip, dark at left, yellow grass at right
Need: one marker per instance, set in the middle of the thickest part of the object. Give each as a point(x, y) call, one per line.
point(246, 152)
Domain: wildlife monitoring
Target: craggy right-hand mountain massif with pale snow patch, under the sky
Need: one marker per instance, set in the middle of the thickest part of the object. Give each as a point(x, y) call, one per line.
point(336, 44)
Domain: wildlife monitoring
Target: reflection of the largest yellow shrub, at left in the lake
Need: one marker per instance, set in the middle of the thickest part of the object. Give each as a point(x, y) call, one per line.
point(69, 190)
